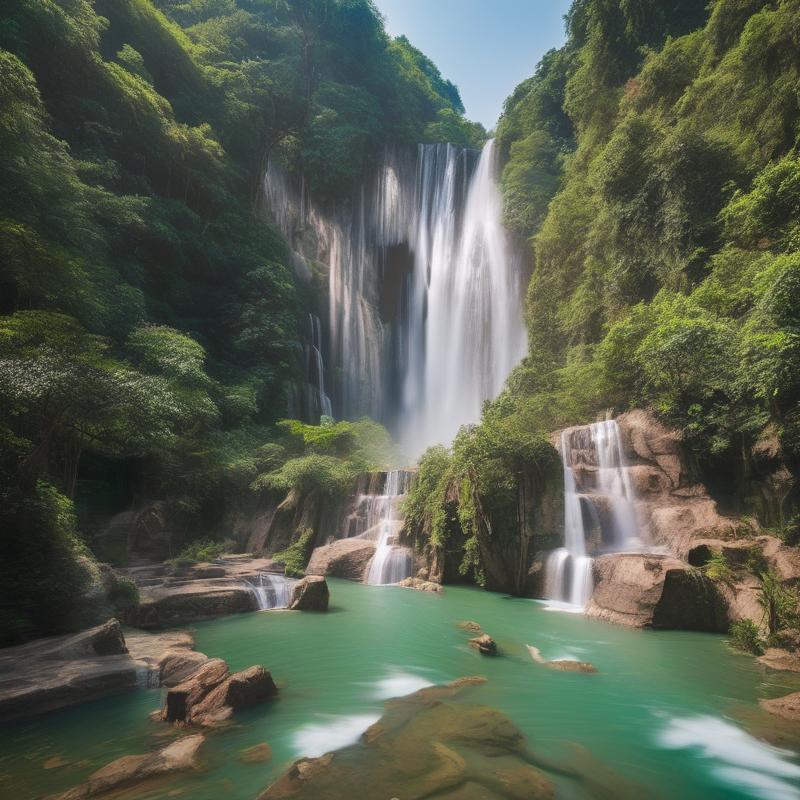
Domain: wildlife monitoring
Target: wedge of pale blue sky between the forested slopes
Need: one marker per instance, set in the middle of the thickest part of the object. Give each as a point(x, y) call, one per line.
point(486, 47)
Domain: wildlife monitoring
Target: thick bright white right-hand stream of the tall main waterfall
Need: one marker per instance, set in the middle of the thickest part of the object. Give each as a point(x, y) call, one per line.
point(465, 331)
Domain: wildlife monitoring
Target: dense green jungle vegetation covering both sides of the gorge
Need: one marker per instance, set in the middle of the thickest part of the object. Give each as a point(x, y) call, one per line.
point(150, 323)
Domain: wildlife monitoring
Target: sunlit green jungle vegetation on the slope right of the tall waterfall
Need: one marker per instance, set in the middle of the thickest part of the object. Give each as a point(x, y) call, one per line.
point(651, 170)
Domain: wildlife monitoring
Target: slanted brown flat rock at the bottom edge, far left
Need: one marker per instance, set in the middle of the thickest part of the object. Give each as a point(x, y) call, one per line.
point(129, 772)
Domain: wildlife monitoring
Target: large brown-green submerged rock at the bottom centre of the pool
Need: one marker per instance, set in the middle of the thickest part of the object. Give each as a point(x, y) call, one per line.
point(421, 748)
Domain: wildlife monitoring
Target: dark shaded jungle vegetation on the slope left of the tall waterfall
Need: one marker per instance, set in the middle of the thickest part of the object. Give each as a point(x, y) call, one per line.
point(149, 322)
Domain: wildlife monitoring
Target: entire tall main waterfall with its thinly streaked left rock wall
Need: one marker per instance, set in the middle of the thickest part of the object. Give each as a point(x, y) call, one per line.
point(424, 288)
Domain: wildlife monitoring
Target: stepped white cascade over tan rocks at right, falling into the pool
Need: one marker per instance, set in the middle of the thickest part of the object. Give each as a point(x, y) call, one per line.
point(599, 513)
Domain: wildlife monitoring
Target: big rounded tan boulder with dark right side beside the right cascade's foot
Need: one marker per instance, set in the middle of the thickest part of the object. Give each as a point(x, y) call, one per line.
point(658, 591)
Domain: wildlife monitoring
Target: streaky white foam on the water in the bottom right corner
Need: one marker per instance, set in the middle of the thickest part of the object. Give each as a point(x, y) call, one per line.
point(738, 759)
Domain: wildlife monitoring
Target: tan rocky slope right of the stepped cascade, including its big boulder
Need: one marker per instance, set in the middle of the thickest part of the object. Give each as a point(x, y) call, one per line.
point(678, 518)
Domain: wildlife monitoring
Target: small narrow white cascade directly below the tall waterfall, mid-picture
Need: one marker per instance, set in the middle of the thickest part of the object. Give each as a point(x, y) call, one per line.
point(390, 564)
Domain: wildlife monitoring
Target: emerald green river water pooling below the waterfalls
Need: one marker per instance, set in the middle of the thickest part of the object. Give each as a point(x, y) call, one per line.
point(668, 711)
